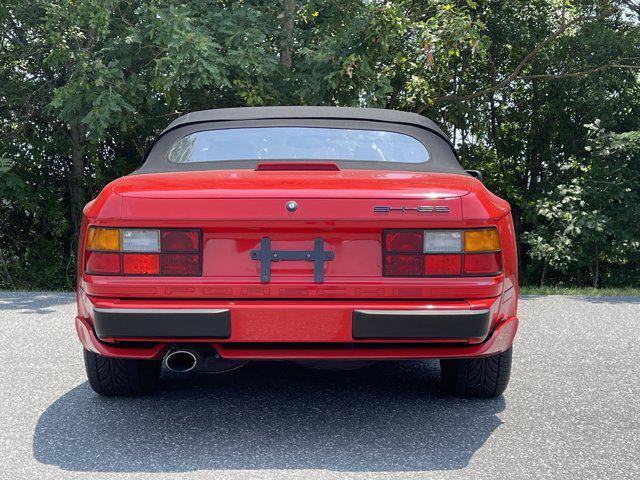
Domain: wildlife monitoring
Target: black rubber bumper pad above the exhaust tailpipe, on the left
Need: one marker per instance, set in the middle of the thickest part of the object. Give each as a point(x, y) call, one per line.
point(158, 324)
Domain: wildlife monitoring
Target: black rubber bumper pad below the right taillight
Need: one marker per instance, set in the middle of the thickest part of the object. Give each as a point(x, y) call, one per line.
point(396, 325)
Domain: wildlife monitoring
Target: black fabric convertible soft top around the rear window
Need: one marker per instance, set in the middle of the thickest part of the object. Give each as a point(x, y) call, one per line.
point(442, 152)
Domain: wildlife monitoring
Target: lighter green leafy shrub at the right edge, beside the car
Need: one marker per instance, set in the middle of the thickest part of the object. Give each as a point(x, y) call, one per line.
point(589, 221)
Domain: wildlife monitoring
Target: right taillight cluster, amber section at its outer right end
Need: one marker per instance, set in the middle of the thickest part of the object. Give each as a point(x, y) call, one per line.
point(441, 253)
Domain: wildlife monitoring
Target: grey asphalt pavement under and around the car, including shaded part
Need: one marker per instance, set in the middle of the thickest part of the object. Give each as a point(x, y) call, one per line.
point(572, 409)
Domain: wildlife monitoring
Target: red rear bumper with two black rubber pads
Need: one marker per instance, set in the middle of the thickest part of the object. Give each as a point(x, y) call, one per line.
point(289, 329)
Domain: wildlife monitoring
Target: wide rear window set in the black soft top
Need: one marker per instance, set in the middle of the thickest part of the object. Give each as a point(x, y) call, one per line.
point(298, 143)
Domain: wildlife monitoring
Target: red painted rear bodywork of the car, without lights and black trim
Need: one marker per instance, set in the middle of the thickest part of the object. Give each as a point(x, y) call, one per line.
point(235, 209)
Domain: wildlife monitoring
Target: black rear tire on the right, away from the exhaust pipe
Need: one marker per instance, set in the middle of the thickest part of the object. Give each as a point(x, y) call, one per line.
point(477, 377)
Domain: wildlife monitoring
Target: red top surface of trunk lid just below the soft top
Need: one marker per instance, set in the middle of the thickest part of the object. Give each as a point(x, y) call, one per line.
point(290, 184)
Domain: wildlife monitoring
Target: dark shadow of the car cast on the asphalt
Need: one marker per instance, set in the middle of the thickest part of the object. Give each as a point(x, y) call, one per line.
point(386, 417)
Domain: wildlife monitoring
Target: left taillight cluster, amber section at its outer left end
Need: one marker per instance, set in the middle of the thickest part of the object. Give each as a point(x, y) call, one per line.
point(143, 251)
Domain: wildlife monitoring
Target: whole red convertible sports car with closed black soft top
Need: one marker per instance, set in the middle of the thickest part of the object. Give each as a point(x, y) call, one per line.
point(297, 233)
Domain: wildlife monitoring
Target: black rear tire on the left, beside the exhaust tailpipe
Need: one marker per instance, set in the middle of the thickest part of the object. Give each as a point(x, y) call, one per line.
point(115, 377)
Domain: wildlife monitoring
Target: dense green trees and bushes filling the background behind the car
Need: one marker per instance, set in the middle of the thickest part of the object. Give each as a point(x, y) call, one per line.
point(86, 84)
